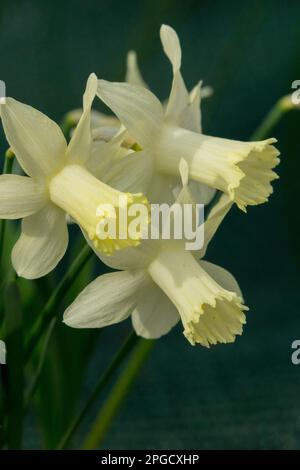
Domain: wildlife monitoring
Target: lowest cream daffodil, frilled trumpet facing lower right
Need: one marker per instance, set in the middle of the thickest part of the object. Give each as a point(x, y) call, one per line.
point(160, 283)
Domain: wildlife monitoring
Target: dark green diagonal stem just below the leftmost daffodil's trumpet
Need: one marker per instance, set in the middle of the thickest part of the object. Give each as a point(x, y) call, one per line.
point(55, 299)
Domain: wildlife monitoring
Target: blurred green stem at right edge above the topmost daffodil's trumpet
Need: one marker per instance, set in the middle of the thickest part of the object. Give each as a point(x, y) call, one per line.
point(280, 108)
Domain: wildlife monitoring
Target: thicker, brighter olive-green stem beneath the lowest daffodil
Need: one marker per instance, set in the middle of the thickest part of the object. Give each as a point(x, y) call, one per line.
point(119, 392)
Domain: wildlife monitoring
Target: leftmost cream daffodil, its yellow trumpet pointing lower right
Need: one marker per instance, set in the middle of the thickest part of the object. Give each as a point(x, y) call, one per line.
point(58, 182)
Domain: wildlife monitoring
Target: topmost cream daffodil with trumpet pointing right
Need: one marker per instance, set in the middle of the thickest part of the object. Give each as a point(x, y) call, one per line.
point(243, 170)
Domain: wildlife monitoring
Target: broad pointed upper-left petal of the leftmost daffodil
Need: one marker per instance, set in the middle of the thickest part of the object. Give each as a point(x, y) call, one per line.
point(36, 140)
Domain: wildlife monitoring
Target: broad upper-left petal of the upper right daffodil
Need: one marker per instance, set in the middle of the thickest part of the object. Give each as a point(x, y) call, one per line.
point(137, 108)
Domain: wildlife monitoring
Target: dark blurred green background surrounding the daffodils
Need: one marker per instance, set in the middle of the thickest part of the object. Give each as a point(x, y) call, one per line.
point(239, 396)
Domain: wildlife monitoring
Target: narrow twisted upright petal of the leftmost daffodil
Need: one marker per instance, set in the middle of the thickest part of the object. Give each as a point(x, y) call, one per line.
point(80, 145)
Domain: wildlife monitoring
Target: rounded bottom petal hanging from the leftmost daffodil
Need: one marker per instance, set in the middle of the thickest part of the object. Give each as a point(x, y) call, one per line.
point(42, 244)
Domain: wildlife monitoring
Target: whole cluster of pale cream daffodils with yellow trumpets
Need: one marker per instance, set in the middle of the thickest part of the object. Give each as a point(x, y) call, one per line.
point(150, 152)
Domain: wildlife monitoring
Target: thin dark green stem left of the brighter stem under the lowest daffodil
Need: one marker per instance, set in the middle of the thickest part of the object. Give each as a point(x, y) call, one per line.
point(127, 346)
